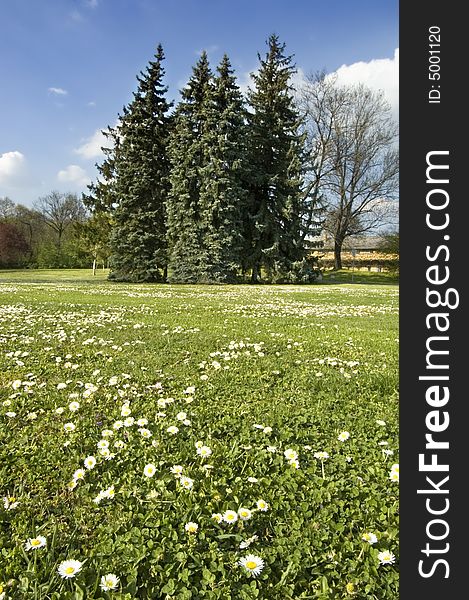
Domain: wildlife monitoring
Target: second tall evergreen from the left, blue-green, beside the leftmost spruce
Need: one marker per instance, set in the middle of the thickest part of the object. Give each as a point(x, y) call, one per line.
point(190, 156)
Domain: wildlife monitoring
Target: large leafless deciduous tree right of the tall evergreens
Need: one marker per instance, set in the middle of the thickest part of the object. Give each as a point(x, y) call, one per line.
point(353, 159)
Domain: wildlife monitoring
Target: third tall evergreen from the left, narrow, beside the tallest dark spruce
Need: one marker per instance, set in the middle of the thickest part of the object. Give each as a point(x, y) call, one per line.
point(222, 192)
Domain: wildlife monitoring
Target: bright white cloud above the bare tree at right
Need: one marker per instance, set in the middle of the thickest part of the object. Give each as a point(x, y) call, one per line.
point(378, 74)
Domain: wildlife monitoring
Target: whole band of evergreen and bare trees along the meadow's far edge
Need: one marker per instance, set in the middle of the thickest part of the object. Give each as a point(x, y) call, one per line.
point(223, 187)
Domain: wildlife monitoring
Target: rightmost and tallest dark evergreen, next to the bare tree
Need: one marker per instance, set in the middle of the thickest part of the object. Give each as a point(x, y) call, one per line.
point(273, 211)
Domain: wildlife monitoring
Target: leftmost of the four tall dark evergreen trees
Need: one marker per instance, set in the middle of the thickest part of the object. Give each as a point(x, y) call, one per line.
point(140, 181)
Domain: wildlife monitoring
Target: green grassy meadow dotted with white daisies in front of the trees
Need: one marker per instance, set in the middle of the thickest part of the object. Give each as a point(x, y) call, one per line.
point(186, 442)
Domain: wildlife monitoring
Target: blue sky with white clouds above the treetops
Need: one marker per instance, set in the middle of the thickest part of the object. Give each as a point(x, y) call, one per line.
point(67, 67)
